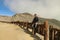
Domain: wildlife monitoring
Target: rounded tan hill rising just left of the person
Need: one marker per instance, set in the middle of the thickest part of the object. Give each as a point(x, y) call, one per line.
point(22, 17)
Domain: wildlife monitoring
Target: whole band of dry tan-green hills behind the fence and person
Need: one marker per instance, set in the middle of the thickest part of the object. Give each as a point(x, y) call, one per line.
point(27, 17)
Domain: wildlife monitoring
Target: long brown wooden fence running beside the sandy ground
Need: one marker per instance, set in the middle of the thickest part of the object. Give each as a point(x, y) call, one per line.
point(45, 29)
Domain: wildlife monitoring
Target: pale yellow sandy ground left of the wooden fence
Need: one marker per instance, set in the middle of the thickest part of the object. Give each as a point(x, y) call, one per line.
point(14, 32)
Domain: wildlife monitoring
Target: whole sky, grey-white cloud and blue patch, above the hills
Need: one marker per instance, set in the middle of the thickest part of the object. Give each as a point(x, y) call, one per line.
point(43, 8)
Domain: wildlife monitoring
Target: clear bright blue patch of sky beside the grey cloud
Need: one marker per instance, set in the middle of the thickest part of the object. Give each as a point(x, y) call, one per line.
point(5, 10)
